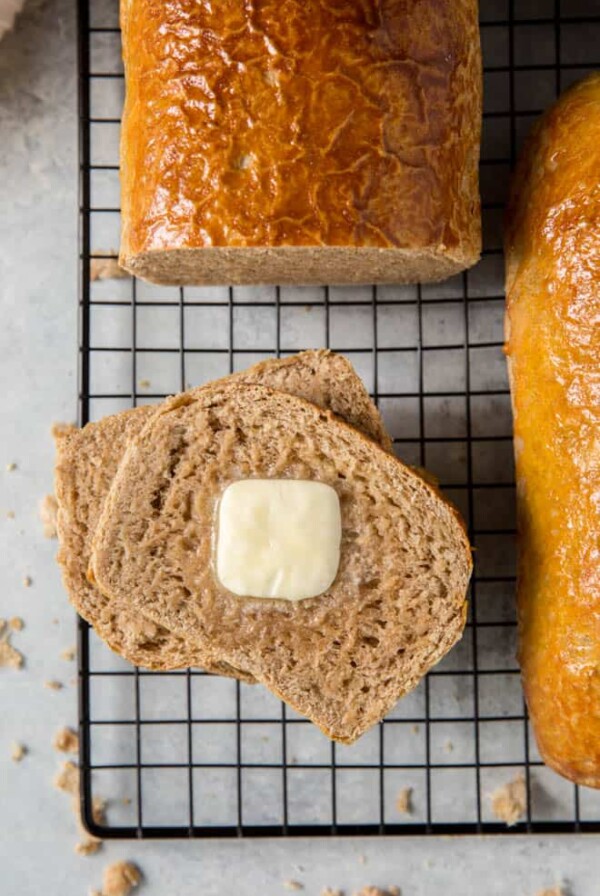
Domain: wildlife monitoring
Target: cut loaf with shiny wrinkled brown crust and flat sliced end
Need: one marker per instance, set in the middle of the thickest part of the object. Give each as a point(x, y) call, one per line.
point(302, 142)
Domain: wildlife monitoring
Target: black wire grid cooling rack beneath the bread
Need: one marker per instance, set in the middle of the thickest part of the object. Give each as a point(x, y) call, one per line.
point(186, 754)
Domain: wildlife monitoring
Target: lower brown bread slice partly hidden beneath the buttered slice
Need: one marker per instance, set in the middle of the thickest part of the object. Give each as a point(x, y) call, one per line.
point(88, 458)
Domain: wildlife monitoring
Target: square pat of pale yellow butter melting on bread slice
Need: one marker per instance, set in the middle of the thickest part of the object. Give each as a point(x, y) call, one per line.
point(278, 538)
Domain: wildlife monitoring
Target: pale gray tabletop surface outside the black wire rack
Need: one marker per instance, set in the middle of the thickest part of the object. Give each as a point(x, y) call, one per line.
point(38, 378)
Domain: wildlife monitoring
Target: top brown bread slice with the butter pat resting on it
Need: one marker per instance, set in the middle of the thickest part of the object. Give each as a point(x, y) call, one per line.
point(396, 606)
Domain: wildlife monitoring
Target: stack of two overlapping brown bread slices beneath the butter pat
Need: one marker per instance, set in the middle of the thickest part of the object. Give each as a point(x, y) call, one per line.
point(137, 493)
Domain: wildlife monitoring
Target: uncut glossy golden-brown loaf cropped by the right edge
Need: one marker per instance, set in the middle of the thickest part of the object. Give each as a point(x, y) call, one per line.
point(553, 346)
